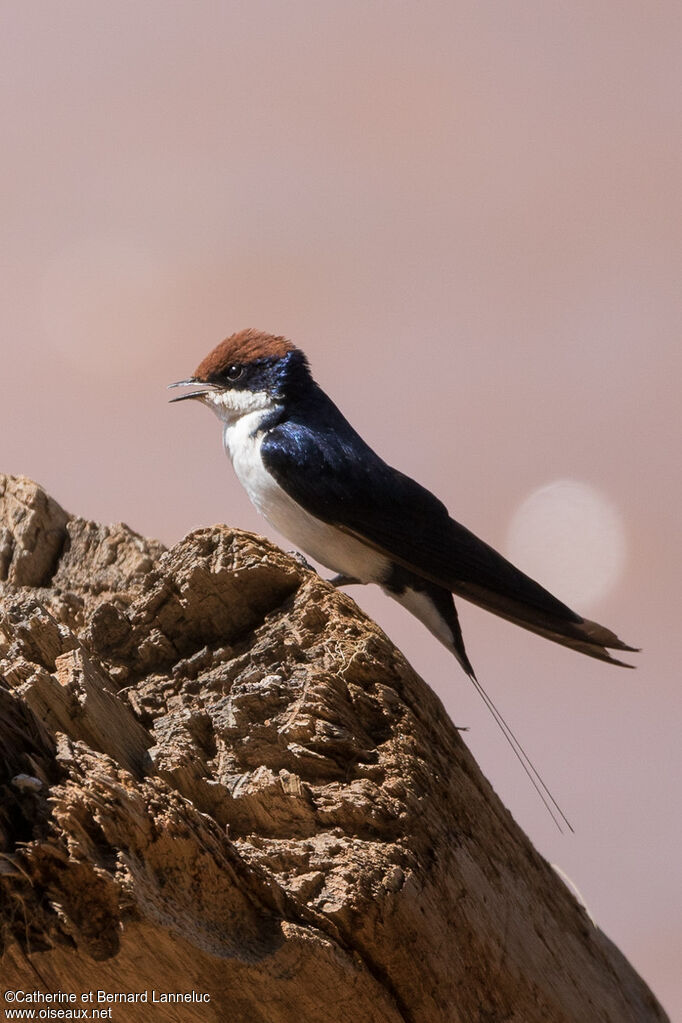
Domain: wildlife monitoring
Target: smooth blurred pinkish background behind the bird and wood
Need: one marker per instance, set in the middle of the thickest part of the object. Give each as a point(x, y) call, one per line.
point(468, 215)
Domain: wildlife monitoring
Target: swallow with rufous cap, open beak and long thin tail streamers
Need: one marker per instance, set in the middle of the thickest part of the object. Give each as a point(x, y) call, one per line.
point(322, 486)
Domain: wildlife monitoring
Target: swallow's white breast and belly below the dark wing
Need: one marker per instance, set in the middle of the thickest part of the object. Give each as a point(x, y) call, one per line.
point(327, 545)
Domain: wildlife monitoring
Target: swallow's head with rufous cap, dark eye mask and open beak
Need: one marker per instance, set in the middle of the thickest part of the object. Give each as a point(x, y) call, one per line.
point(249, 372)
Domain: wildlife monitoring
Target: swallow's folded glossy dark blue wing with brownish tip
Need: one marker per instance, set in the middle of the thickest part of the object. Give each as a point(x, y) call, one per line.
point(327, 468)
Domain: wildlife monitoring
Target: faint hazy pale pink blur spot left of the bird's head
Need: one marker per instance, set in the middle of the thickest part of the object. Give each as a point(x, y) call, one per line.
point(108, 305)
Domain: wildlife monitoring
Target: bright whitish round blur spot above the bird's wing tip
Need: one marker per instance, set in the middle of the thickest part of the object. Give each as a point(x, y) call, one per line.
point(572, 540)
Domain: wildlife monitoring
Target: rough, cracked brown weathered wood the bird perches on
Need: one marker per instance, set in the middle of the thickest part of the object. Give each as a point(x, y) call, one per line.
point(217, 775)
